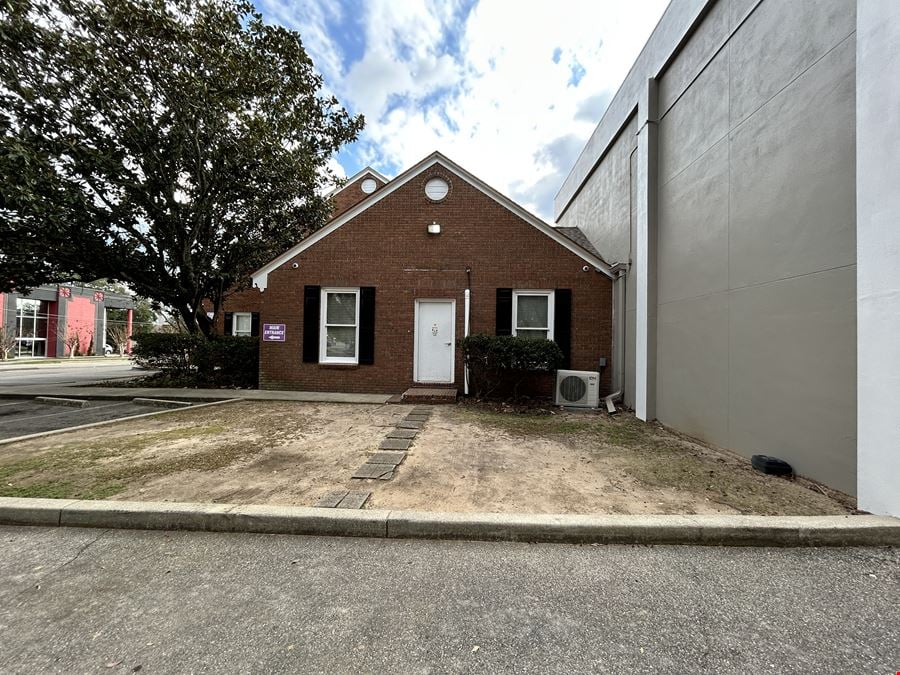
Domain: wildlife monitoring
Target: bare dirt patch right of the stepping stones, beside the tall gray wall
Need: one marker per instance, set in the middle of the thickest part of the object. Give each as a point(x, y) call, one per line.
point(482, 459)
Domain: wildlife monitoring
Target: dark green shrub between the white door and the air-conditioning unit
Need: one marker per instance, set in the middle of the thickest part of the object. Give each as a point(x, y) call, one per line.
point(500, 362)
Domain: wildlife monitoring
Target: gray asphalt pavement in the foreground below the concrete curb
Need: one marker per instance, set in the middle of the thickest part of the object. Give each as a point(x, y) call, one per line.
point(118, 601)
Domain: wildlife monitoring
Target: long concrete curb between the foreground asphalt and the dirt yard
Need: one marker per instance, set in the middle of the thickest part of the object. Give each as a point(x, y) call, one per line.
point(572, 529)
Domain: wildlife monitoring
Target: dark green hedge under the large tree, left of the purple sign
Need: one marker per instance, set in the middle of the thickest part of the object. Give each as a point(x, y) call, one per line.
point(221, 361)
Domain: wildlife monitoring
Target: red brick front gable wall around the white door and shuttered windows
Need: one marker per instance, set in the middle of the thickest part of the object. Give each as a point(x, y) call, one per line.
point(387, 246)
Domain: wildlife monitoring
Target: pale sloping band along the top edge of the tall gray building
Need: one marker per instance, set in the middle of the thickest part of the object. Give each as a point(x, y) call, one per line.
point(675, 25)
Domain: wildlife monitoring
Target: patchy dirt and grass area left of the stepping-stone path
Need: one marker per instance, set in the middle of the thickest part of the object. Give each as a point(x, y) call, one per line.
point(259, 452)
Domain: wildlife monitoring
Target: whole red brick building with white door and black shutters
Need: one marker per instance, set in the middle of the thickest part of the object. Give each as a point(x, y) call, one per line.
point(377, 299)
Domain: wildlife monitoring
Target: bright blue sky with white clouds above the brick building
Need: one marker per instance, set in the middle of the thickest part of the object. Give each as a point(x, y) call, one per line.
point(509, 89)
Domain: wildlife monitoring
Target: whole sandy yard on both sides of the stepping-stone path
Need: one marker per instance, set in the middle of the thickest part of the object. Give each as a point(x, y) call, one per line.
point(465, 459)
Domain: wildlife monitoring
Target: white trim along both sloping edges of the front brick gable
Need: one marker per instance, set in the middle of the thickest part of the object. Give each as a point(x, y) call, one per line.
point(261, 276)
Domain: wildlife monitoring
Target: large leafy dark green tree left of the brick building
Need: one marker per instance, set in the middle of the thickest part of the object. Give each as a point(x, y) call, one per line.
point(172, 145)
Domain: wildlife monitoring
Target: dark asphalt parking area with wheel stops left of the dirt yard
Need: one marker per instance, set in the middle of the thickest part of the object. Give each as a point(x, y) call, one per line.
point(19, 417)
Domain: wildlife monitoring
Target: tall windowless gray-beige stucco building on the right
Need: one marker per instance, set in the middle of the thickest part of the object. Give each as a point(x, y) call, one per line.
point(725, 172)
